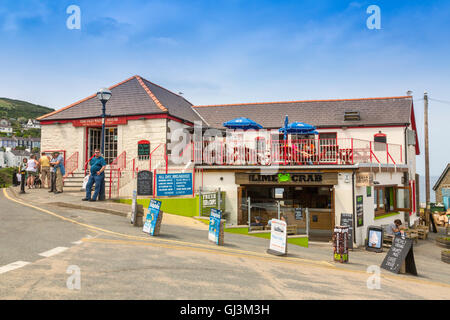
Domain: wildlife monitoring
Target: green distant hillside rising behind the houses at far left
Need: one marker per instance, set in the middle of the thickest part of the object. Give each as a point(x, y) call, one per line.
point(15, 108)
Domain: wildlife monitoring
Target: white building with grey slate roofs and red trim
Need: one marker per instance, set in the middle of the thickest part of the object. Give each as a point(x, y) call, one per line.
point(362, 163)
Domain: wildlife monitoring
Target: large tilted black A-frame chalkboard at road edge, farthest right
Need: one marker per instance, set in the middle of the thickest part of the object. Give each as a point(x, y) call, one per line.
point(400, 252)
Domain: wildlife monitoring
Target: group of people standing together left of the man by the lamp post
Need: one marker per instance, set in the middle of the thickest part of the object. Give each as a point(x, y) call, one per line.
point(49, 170)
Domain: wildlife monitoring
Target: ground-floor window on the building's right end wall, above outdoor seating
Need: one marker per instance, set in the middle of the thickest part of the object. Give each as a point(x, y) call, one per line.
point(391, 199)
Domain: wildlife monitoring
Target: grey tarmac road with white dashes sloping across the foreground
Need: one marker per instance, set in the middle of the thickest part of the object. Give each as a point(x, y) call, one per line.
point(117, 261)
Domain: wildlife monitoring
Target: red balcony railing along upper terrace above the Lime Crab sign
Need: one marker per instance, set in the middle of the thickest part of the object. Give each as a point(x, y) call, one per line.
point(347, 151)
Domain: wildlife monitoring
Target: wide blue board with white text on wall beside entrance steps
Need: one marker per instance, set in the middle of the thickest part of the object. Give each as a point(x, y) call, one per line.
point(173, 184)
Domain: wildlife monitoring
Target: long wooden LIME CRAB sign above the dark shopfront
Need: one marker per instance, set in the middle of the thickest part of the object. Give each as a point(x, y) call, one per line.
point(299, 178)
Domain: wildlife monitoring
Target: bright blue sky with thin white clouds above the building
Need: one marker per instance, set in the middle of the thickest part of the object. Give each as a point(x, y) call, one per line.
point(233, 51)
